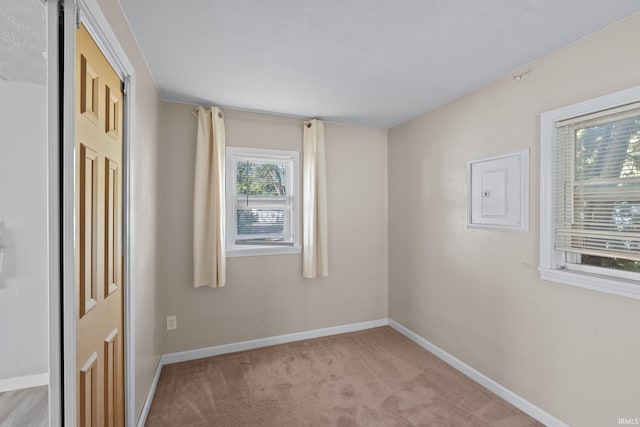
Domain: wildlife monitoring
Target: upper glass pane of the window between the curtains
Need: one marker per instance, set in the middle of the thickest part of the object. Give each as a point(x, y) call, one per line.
point(258, 178)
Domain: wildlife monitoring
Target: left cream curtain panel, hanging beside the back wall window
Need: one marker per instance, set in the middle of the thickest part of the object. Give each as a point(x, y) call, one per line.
point(209, 259)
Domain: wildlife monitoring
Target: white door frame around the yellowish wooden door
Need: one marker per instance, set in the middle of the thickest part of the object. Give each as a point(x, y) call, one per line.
point(61, 201)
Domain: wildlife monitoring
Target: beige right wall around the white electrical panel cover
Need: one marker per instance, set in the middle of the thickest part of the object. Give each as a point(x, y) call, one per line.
point(476, 294)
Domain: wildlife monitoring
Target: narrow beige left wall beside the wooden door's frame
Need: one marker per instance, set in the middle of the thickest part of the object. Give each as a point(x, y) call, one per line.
point(148, 323)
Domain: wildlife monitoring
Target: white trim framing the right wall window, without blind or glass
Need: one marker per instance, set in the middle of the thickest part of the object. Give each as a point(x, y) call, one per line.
point(551, 260)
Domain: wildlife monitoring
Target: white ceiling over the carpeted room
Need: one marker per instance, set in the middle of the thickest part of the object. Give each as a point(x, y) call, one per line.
point(369, 62)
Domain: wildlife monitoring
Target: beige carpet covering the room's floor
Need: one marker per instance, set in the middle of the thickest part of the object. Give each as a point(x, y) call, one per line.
point(375, 377)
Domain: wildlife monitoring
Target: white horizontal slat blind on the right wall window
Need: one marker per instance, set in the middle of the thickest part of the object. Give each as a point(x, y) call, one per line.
point(597, 184)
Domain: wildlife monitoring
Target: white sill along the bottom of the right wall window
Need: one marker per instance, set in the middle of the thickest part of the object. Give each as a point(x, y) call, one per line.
point(621, 287)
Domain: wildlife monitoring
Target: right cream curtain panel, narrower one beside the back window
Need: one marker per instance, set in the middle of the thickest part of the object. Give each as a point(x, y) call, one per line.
point(315, 255)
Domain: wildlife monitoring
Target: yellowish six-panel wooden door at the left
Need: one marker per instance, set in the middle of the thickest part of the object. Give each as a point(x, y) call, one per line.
point(100, 345)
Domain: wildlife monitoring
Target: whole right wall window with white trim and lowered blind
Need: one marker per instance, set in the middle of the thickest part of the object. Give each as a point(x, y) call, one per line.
point(590, 194)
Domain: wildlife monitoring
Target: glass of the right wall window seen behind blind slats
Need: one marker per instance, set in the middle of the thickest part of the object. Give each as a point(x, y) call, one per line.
point(606, 194)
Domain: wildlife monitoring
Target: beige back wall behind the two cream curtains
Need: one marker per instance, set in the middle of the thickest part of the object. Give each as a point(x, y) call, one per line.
point(266, 295)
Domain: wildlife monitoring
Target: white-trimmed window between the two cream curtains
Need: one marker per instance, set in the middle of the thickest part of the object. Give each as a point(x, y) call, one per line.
point(262, 201)
